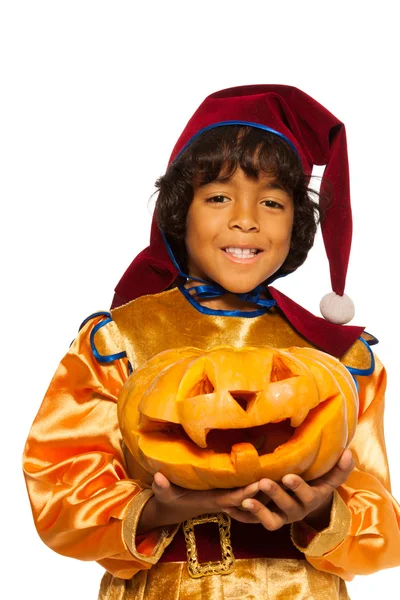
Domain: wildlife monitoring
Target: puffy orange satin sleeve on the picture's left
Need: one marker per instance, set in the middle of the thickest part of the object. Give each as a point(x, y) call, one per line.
point(74, 468)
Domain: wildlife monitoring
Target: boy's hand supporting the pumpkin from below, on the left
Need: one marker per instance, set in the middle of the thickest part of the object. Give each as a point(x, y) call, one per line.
point(172, 504)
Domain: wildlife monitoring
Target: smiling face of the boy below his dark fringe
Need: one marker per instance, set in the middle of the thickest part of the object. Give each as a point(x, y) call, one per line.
point(227, 220)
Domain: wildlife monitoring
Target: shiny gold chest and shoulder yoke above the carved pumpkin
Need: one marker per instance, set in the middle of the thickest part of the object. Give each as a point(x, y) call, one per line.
point(175, 322)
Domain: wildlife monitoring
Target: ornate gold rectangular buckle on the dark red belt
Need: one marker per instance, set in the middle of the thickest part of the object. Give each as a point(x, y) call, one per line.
point(226, 564)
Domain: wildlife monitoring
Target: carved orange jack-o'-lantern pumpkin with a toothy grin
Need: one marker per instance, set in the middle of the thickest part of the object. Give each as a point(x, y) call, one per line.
point(220, 418)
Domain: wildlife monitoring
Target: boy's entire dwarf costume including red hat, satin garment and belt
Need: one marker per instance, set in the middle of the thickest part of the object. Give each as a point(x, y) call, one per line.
point(86, 490)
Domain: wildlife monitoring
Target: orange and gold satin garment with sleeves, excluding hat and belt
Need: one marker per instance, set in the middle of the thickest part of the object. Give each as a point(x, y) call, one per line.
point(87, 494)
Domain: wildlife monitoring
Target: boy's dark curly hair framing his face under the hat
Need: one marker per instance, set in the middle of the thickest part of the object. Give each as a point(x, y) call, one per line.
point(220, 151)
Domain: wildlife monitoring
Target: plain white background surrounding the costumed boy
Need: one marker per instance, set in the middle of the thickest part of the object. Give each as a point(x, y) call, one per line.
point(94, 96)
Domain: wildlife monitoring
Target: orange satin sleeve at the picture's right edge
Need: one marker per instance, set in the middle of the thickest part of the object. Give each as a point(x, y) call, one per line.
point(365, 537)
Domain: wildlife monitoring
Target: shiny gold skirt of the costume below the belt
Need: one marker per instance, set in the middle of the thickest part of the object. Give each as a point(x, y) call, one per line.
point(257, 579)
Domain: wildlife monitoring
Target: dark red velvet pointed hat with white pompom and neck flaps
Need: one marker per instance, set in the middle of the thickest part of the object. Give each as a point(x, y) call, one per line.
point(320, 139)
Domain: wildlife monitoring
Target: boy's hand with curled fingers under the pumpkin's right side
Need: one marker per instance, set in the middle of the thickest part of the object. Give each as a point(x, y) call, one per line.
point(310, 501)
